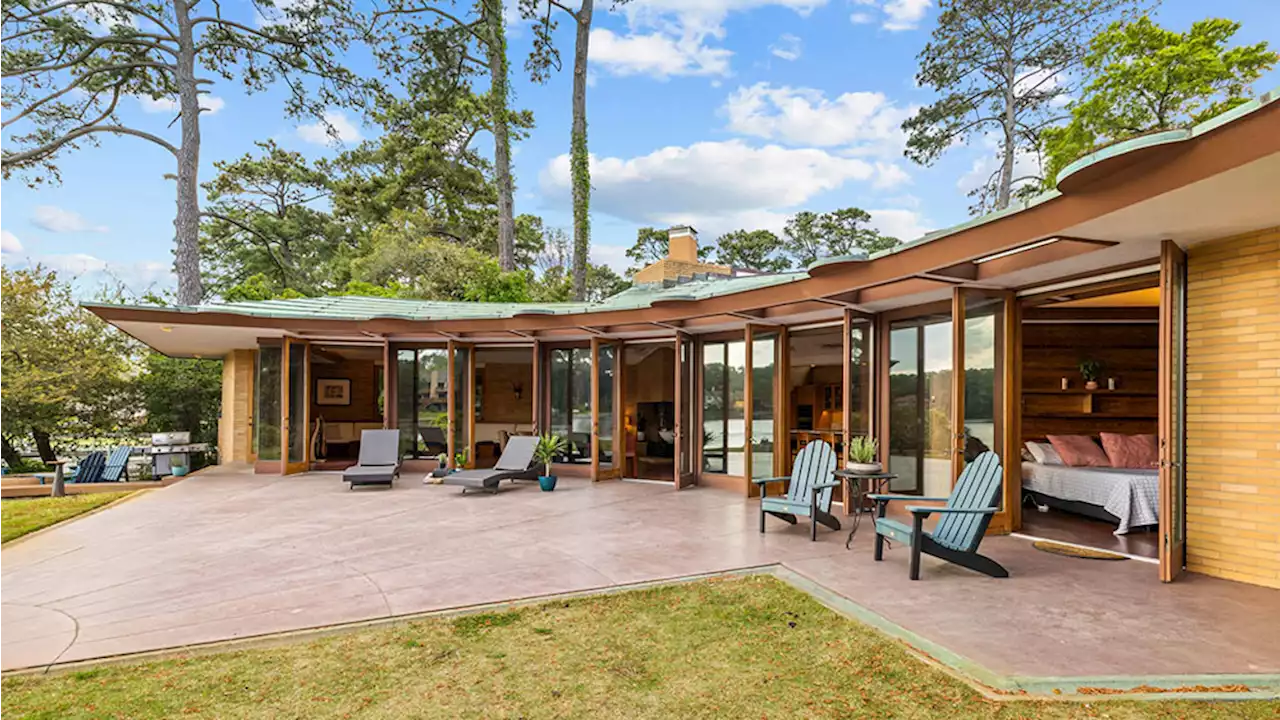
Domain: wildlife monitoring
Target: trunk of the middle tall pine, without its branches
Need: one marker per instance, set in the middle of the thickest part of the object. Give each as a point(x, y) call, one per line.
point(499, 99)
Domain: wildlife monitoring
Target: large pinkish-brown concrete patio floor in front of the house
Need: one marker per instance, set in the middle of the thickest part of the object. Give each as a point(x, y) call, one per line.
point(230, 555)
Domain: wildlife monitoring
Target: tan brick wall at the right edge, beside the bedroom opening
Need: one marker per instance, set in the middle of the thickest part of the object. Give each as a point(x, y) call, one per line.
point(1233, 409)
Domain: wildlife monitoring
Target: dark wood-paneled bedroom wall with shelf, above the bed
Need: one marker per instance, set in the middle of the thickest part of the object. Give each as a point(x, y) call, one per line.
point(1052, 352)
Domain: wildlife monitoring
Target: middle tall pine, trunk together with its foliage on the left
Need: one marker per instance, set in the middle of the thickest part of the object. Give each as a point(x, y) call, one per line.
point(409, 34)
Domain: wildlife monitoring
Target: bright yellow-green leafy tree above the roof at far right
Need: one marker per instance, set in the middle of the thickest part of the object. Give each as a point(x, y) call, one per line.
point(1145, 79)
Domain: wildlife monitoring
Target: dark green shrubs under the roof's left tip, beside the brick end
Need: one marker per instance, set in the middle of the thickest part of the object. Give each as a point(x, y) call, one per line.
point(181, 394)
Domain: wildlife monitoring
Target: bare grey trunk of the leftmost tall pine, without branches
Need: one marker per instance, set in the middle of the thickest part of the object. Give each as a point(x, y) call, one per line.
point(188, 221)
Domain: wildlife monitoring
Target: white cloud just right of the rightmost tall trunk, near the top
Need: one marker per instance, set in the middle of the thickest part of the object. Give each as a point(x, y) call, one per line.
point(657, 54)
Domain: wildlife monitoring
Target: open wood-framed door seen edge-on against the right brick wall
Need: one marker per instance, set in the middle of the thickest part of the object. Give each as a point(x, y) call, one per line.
point(1173, 412)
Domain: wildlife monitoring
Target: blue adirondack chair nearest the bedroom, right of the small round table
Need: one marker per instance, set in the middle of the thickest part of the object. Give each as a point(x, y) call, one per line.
point(959, 532)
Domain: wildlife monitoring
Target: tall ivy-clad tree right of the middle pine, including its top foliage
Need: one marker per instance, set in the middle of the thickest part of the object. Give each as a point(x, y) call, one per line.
point(545, 57)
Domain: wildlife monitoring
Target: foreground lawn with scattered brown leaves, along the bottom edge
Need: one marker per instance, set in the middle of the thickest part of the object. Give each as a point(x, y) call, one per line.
point(749, 648)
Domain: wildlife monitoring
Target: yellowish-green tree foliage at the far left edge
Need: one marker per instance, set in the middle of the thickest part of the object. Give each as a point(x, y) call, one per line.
point(62, 370)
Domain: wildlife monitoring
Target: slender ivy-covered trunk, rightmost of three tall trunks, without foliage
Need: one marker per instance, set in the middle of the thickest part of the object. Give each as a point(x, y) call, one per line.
point(580, 160)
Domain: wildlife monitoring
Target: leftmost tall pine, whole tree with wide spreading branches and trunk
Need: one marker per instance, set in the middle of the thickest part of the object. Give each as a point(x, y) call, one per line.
point(67, 65)
